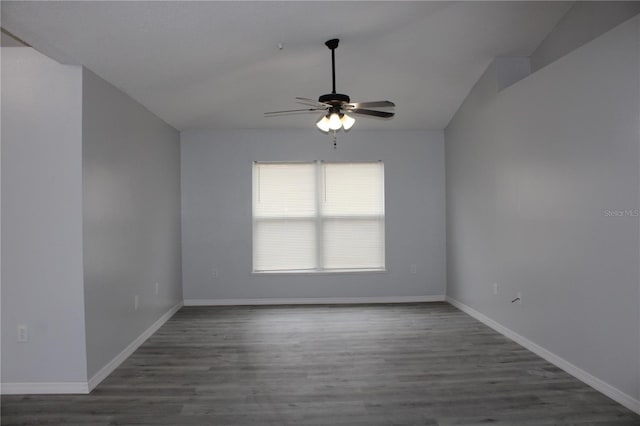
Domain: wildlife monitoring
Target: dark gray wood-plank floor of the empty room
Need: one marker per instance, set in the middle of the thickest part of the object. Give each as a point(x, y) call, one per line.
point(414, 364)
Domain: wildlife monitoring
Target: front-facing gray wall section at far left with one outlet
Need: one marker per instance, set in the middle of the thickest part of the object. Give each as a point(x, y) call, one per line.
point(41, 219)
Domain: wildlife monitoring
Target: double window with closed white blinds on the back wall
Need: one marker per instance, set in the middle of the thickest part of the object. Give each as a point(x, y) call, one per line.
point(318, 217)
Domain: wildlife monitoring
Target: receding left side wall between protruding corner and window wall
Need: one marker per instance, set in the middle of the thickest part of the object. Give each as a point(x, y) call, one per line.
point(131, 209)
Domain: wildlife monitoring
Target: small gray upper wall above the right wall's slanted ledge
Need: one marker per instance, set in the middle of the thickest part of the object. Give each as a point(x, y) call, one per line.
point(585, 21)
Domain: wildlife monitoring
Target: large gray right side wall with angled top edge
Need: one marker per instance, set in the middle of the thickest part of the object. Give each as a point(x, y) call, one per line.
point(535, 175)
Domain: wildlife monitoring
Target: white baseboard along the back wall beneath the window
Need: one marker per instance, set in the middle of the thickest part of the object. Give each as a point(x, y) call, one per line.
point(313, 301)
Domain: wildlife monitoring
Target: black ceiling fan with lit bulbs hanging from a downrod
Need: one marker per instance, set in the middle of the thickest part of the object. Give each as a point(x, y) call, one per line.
point(335, 106)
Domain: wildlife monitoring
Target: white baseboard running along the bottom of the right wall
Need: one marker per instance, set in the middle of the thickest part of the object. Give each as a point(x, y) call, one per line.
point(596, 383)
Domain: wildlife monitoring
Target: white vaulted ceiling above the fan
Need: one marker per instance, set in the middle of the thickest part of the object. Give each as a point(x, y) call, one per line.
point(217, 64)
